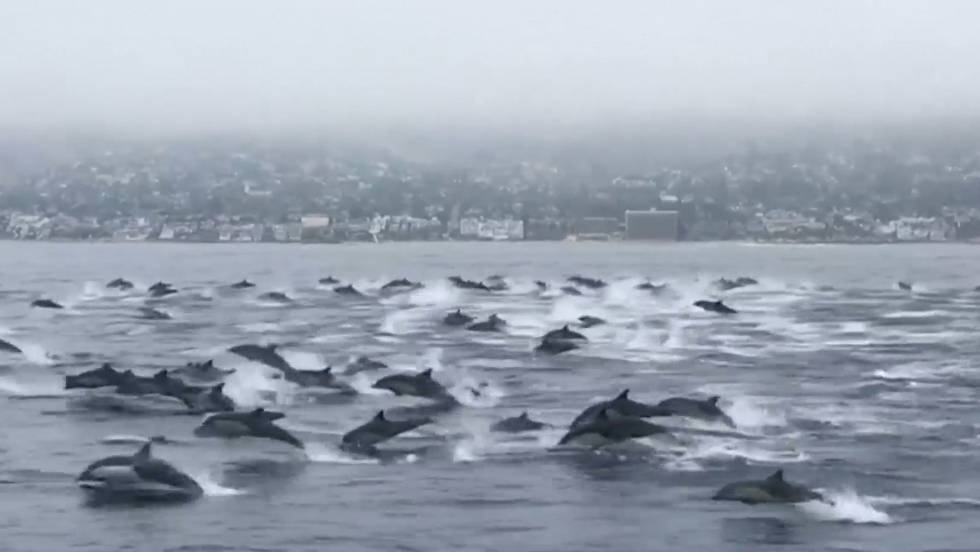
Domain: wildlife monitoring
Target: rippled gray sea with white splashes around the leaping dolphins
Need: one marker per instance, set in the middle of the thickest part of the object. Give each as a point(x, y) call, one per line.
point(852, 386)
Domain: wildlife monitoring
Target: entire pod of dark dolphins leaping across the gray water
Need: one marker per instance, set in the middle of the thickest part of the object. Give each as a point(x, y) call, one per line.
point(600, 425)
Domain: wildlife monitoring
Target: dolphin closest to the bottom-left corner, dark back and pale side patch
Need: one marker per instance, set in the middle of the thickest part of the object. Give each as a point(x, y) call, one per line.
point(139, 477)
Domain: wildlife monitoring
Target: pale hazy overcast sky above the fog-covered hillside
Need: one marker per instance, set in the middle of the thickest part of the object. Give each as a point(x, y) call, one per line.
point(210, 64)
